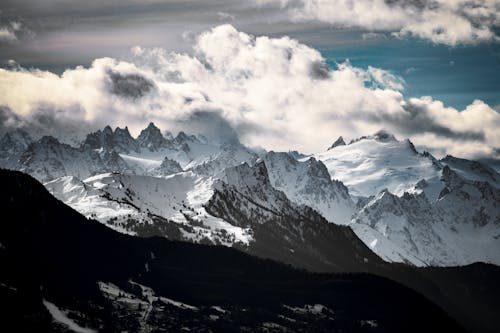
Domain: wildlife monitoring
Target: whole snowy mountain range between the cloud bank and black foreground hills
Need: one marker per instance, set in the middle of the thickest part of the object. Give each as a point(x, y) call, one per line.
point(404, 205)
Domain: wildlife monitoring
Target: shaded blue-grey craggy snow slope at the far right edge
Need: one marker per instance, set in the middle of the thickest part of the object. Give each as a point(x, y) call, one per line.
point(461, 227)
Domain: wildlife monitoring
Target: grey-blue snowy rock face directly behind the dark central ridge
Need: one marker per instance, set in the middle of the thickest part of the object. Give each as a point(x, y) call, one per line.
point(309, 183)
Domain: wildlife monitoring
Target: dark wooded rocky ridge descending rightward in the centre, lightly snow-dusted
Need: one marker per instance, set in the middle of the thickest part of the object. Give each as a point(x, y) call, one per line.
point(281, 229)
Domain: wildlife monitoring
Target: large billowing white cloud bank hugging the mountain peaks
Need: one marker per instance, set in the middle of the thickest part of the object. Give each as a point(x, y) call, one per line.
point(271, 92)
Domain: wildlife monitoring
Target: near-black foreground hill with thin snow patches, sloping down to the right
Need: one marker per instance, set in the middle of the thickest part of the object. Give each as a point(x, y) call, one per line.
point(60, 272)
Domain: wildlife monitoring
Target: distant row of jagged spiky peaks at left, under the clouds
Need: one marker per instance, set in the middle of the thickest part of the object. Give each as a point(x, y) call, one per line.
point(117, 151)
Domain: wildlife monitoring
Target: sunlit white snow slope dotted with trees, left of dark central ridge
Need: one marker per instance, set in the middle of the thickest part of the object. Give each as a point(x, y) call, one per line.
point(143, 205)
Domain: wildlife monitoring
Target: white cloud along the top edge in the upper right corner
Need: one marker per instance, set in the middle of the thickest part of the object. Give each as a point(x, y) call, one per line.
point(449, 22)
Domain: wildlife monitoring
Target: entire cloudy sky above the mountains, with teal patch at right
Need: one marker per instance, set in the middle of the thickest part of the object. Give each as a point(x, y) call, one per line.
point(278, 74)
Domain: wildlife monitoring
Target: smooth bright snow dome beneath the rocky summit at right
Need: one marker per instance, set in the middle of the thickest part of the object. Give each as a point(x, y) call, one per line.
point(373, 163)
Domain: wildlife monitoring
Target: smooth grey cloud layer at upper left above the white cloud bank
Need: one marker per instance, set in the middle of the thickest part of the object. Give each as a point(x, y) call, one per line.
point(70, 33)
